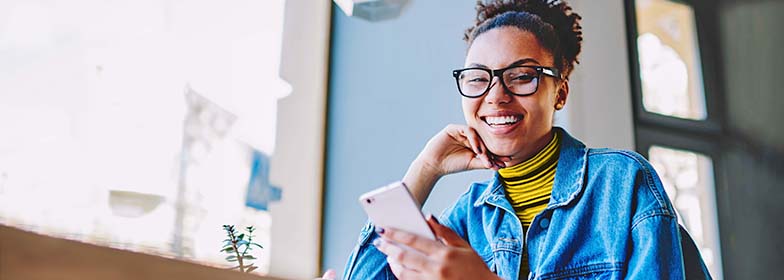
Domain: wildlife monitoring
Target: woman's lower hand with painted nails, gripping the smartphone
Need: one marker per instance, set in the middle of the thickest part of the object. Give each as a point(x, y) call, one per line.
point(451, 258)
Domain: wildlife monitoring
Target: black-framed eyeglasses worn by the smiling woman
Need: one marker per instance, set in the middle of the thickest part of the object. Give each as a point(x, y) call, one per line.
point(474, 82)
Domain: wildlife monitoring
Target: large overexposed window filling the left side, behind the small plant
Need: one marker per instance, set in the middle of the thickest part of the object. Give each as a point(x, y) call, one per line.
point(142, 125)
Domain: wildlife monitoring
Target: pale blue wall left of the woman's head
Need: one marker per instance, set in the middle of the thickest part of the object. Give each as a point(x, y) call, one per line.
point(390, 90)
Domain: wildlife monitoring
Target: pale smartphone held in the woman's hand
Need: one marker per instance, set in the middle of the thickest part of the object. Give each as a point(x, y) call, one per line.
point(393, 206)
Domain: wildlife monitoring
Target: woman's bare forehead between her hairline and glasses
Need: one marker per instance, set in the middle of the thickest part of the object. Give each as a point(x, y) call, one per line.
point(500, 47)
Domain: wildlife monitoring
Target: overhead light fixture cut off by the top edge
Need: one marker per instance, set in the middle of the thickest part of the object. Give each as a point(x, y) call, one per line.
point(372, 10)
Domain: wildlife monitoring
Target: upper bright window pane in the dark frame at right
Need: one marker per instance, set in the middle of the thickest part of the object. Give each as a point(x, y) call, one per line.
point(669, 57)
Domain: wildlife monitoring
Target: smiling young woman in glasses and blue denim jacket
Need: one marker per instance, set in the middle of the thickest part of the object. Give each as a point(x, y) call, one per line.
point(554, 209)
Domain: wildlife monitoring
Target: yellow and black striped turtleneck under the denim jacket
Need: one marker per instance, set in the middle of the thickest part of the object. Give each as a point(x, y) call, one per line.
point(528, 185)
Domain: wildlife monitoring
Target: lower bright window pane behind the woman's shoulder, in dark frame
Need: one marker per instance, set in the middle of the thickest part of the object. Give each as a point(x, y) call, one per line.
point(688, 180)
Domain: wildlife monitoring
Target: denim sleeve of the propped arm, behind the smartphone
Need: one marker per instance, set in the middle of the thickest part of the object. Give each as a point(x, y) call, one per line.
point(367, 262)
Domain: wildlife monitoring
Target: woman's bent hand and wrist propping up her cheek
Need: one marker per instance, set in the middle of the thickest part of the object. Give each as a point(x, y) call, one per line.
point(454, 149)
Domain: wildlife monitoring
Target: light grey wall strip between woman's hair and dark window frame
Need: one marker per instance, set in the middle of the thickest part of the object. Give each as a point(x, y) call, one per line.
point(599, 108)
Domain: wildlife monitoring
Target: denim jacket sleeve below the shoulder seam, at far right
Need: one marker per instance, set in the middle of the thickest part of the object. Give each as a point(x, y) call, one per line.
point(656, 249)
